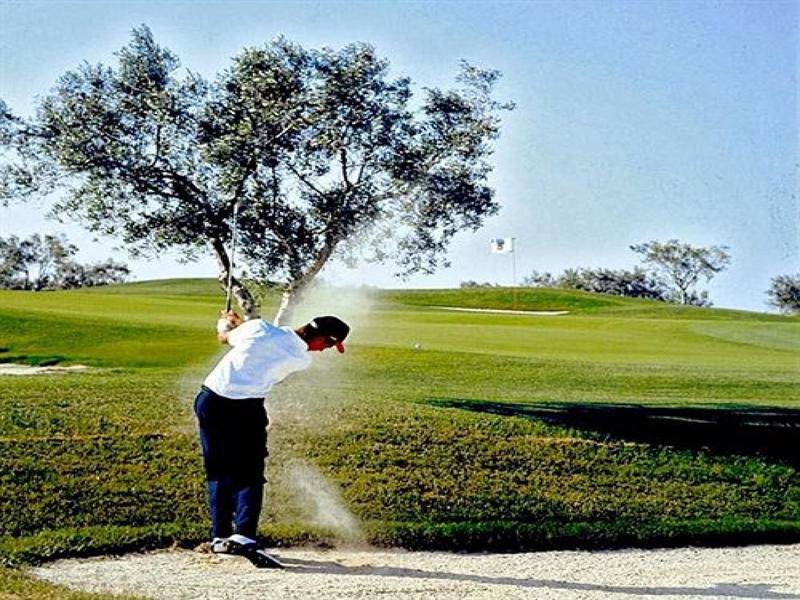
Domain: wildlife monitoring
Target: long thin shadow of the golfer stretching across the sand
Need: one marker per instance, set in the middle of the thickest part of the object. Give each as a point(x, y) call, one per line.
point(720, 590)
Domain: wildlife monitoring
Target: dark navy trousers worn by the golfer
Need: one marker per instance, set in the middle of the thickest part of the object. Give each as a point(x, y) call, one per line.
point(233, 436)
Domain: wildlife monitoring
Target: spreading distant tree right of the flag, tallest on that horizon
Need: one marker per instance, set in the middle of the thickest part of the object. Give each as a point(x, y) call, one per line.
point(682, 265)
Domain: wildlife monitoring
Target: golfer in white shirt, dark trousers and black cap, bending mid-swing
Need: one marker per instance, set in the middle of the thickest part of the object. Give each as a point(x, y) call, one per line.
point(233, 420)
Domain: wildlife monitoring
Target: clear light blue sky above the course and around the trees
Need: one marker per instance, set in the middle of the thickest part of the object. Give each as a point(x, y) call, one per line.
point(635, 120)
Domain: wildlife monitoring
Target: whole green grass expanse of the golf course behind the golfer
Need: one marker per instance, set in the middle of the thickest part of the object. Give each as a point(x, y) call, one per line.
point(468, 442)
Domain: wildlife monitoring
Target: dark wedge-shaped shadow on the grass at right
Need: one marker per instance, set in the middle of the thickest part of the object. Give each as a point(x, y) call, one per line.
point(770, 433)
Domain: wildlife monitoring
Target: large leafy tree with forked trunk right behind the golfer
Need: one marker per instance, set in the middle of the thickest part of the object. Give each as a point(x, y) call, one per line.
point(317, 153)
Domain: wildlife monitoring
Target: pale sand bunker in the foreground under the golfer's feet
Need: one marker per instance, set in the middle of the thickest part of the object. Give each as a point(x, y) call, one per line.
point(687, 573)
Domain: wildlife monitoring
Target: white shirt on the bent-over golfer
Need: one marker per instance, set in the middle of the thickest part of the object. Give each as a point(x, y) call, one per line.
point(261, 356)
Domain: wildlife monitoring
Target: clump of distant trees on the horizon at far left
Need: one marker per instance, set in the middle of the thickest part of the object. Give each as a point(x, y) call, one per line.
point(47, 263)
